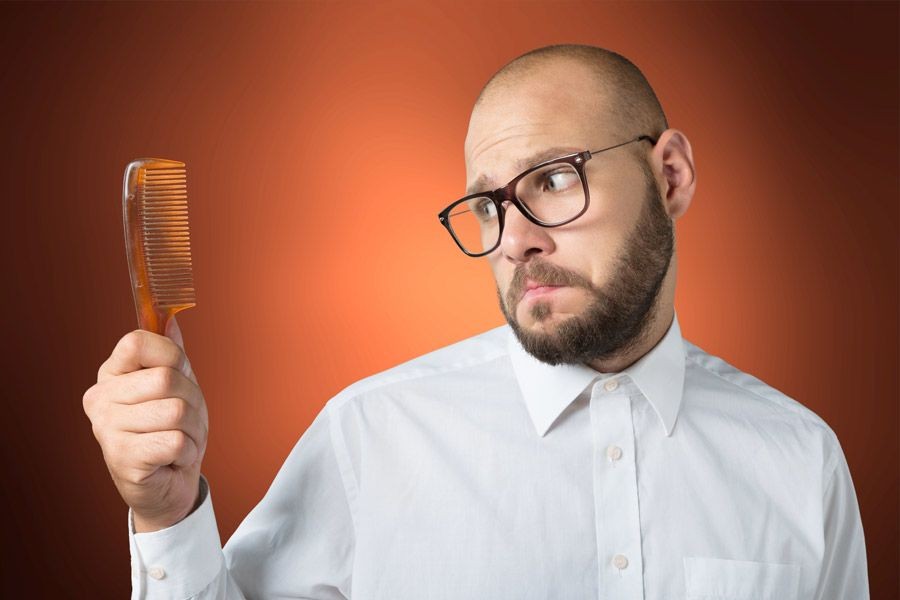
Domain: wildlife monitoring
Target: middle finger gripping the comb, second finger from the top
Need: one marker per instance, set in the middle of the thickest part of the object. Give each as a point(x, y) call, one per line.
point(147, 384)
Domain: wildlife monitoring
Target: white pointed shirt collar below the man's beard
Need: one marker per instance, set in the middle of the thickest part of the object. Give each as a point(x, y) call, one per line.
point(549, 389)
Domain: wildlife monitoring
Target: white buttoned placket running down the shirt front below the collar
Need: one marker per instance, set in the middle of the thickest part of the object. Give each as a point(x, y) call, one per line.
point(620, 564)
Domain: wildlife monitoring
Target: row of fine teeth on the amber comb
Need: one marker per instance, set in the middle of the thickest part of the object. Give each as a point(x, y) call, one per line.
point(162, 209)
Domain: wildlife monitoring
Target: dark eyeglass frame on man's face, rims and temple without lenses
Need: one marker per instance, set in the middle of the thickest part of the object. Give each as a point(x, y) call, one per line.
point(507, 194)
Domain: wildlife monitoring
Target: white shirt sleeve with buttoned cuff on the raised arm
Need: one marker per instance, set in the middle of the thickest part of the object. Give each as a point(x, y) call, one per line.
point(297, 542)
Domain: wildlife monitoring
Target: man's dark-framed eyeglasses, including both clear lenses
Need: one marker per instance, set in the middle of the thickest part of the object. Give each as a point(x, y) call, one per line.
point(551, 193)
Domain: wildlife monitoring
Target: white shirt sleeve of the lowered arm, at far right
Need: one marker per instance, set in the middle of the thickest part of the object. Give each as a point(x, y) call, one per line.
point(844, 570)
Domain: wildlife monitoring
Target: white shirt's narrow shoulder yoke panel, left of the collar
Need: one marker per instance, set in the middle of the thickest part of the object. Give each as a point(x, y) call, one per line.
point(471, 353)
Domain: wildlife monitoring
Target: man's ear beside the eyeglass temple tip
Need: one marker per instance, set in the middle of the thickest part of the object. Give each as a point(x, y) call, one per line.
point(672, 159)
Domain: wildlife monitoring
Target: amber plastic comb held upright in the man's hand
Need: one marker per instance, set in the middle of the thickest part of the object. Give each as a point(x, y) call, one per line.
point(157, 240)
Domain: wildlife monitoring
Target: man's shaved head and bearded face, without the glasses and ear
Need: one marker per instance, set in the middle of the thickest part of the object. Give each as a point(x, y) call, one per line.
point(613, 269)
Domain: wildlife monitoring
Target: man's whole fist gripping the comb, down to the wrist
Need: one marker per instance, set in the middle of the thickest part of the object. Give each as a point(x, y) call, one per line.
point(149, 416)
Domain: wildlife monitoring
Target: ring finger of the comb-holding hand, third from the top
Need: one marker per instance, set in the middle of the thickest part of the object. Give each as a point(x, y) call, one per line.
point(166, 414)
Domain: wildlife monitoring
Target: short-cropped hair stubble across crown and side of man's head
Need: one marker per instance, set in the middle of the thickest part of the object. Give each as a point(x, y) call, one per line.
point(623, 95)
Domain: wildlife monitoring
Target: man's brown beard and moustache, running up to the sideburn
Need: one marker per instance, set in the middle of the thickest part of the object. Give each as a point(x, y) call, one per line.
point(620, 313)
